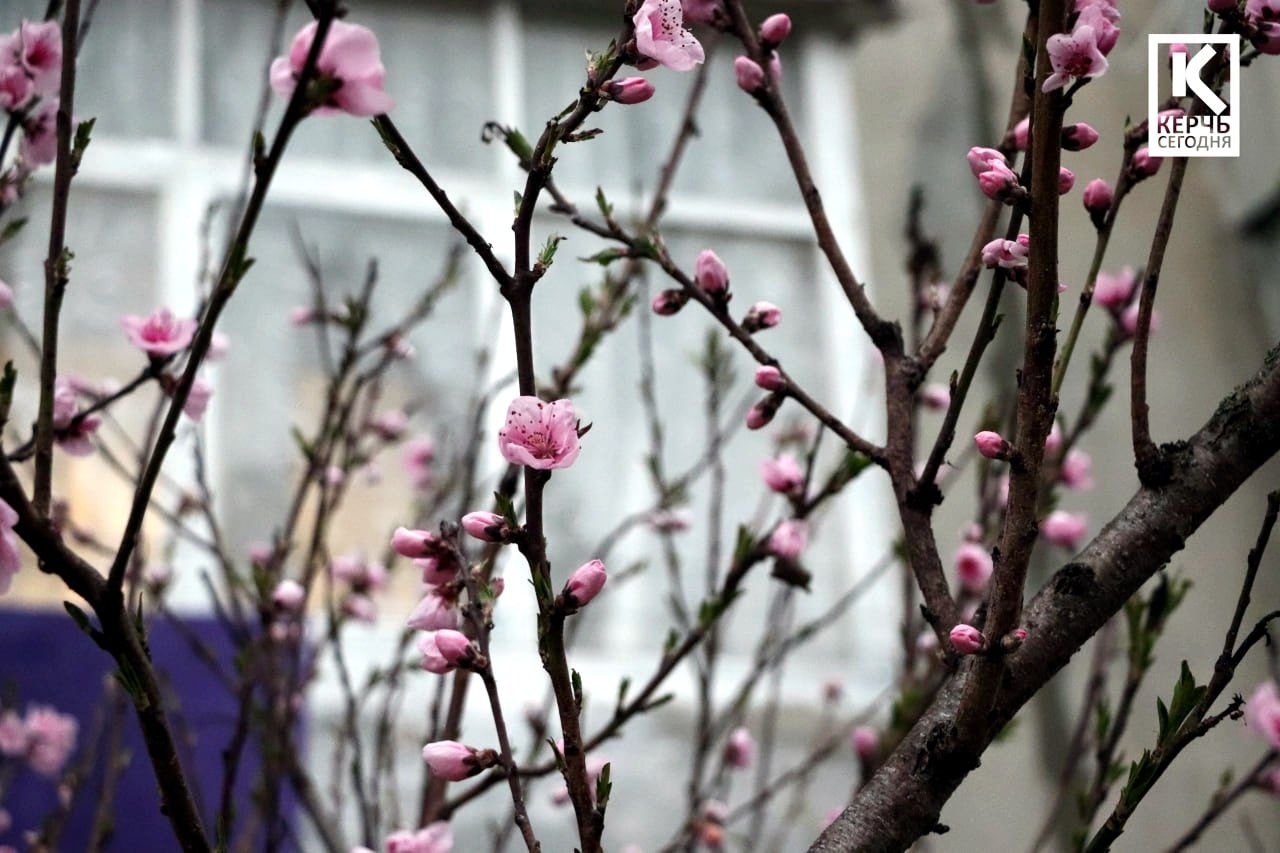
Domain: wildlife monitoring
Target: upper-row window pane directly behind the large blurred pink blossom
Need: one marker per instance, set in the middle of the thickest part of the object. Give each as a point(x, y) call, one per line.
point(437, 70)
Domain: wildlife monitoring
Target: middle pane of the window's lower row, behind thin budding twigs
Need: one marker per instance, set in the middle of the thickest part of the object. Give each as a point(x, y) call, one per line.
point(273, 375)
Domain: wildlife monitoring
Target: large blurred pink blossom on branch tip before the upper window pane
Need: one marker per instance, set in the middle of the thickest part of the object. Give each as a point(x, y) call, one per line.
point(350, 71)
